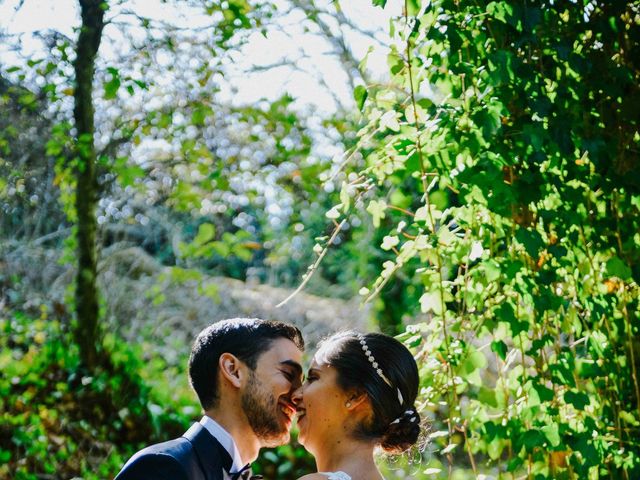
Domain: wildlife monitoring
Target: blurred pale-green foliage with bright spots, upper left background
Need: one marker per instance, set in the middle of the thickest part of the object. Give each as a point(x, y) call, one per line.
point(173, 154)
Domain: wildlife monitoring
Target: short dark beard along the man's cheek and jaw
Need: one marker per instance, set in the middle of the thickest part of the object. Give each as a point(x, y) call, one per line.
point(263, 412)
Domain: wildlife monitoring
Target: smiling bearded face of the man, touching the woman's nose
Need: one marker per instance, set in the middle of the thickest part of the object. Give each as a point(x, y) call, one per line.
point(266, 398)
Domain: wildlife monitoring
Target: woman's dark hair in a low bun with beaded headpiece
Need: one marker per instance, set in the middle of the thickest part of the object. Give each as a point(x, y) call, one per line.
point(388, 374)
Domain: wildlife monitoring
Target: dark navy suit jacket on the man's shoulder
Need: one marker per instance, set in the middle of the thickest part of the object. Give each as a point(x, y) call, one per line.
point(197, 455)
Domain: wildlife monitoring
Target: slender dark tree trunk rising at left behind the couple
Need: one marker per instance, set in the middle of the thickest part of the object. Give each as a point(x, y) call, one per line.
point(87, 330)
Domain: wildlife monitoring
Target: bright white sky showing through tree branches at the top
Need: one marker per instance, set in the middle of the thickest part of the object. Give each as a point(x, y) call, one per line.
point(260, 69)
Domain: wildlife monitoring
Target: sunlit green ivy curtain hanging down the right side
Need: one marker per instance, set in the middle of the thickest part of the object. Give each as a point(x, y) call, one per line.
point(498, 167)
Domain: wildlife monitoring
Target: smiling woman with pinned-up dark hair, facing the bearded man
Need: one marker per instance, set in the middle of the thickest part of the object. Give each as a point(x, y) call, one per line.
point(359, 394)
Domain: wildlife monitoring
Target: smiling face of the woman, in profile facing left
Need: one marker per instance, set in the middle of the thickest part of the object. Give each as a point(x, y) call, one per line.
point(321, 405)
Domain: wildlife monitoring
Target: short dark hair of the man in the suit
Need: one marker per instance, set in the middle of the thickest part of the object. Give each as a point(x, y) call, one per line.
point(246, 338)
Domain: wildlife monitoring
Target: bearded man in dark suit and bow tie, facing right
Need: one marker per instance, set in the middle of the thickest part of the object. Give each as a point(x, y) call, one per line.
point(244, 372)
